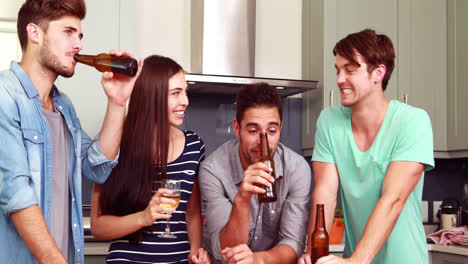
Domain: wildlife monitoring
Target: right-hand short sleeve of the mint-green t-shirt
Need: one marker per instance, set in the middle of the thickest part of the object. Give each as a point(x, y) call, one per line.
point(415, 141)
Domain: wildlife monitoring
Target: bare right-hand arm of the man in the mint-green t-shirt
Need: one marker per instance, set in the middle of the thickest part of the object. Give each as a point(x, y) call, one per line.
point(400, 180)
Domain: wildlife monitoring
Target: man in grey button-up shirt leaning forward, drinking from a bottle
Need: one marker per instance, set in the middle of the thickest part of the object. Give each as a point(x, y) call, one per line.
point(237, 226)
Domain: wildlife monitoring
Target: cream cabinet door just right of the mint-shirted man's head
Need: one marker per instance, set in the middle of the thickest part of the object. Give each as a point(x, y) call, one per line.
point(422, 65)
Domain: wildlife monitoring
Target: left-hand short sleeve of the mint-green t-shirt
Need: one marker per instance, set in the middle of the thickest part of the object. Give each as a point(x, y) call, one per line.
point(323, 148)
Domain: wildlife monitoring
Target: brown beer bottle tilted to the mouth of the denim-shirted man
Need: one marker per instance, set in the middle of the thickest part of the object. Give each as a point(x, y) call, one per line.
point(106, 62)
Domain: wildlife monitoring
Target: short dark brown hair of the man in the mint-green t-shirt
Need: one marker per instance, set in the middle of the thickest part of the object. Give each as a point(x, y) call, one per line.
point(376, 49)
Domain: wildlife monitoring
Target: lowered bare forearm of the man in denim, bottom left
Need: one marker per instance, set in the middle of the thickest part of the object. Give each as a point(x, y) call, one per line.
point(31, 226)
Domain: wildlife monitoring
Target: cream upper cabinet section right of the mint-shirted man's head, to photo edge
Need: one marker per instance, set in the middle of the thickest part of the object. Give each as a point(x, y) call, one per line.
point(433, 68)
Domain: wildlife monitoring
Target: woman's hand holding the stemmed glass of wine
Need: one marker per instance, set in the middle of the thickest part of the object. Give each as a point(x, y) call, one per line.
point(154, 210)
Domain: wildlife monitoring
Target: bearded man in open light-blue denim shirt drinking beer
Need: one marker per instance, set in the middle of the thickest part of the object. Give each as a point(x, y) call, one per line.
point(43, 150)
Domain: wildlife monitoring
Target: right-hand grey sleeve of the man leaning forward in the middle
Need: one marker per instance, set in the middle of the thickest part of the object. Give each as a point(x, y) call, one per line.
point(296, 208)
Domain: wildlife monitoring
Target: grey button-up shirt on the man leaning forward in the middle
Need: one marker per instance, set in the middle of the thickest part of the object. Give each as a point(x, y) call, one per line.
point(282, 222)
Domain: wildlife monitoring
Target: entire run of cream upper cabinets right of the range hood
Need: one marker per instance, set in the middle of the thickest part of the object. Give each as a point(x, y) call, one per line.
point(431, 68)
